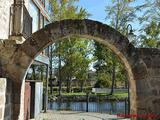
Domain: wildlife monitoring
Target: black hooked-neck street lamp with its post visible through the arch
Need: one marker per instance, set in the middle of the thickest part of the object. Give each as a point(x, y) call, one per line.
point(129, 35)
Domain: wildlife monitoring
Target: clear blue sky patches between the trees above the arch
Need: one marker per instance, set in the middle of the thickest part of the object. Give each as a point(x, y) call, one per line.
point(97, 9)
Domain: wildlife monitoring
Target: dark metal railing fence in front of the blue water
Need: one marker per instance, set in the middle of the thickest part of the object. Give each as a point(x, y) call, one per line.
point(109, 107)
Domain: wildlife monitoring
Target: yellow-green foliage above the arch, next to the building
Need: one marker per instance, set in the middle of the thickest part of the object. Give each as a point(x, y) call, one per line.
point(66, 9)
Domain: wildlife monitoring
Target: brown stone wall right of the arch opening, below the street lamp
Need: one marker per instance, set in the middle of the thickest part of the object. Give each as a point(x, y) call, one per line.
point(148, 82)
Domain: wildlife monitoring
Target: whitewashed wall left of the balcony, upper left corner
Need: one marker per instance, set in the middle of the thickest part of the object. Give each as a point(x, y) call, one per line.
point(5, 18)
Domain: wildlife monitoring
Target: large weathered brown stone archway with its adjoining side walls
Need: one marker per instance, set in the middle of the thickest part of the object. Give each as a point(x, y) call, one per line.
point(139, 63)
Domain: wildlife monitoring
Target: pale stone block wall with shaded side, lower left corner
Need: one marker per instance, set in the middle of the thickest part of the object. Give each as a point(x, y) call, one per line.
point(5, 99)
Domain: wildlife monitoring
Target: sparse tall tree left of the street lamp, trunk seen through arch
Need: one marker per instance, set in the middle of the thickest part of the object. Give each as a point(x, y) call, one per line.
point(119, 14)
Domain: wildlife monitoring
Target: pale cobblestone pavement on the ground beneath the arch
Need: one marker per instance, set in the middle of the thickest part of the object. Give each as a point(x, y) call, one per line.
point(75, 115)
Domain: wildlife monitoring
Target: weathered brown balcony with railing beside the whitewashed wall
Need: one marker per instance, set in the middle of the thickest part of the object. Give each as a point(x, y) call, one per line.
point(20, 22)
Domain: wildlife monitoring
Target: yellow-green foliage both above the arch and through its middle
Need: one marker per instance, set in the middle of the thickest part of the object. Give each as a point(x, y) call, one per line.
point(71, 54)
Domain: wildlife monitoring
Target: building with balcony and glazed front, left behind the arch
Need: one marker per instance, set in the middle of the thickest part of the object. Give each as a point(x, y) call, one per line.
point(19, 19)
